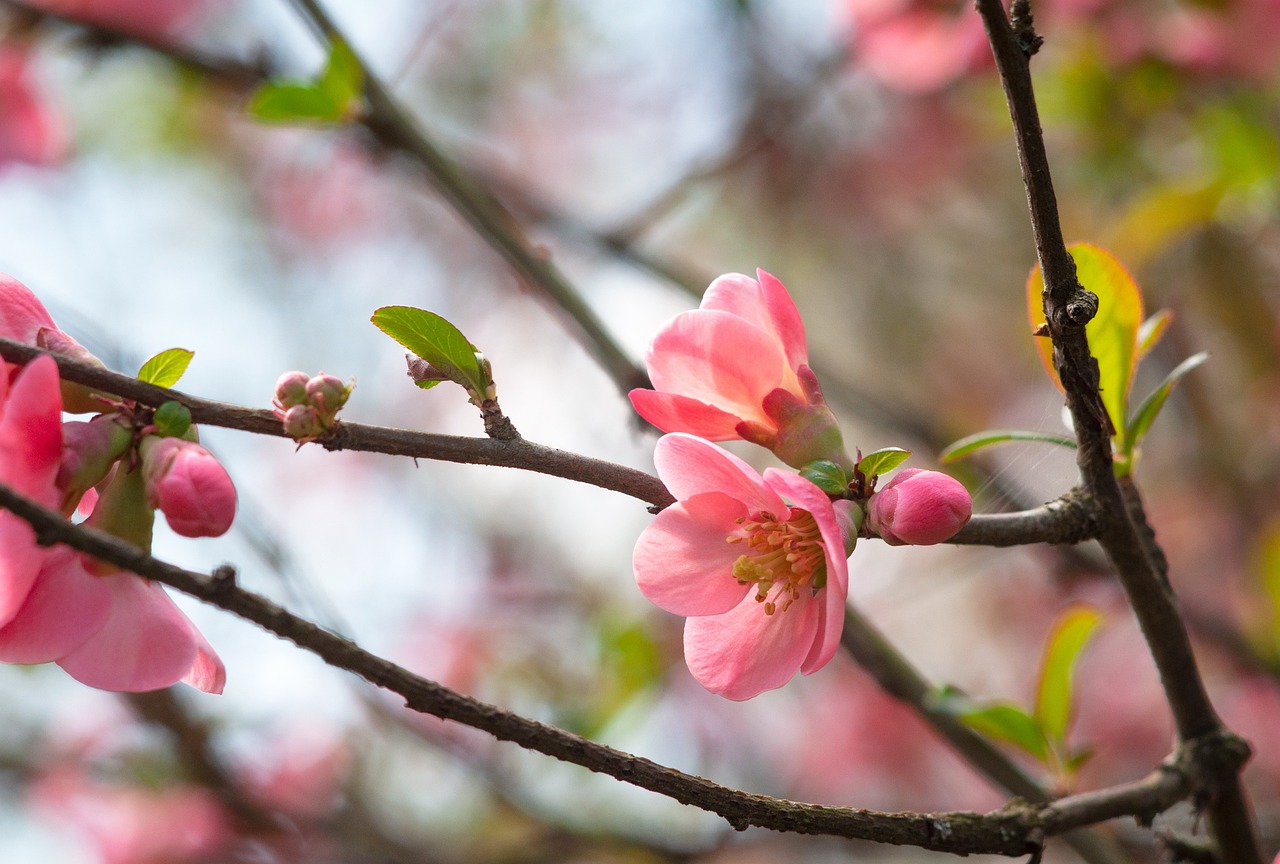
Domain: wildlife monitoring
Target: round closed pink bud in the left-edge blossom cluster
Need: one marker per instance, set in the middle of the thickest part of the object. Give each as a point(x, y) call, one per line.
point(189, 486)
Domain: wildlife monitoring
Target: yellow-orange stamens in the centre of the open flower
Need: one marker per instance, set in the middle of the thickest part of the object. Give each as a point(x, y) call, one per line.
point(783, 557)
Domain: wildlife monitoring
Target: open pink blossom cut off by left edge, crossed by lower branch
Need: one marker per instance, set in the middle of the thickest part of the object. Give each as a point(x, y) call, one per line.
point(113, 632)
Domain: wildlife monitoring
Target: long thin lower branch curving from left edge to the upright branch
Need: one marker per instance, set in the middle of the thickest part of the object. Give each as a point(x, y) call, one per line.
point(1016, 830)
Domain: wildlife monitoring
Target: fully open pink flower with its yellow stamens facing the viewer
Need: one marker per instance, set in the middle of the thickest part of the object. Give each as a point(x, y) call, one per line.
point(758, 565)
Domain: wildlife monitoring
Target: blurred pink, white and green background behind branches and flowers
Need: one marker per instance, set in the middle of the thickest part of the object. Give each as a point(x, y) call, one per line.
point(857, 149)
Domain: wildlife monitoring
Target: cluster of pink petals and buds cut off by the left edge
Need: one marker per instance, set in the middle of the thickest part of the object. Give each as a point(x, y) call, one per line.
point(107, 628)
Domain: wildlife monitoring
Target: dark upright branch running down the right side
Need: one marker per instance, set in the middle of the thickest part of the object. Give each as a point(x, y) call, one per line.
point(1133, 552)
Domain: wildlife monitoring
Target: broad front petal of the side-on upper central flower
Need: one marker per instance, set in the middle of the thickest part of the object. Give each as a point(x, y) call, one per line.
point(719, 359)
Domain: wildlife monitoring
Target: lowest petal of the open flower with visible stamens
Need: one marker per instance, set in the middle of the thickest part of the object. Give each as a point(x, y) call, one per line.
point(746, 652)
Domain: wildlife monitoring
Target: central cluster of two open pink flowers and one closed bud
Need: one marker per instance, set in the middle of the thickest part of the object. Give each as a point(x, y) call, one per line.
point(758, 564)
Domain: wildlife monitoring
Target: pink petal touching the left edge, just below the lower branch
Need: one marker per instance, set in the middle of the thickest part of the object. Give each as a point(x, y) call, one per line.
point(65, 609)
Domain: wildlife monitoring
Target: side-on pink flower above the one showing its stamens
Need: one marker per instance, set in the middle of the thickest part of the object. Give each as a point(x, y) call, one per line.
point(738, 367)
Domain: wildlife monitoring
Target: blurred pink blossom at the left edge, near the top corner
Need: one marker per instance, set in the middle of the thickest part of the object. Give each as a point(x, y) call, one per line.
point(31, 131)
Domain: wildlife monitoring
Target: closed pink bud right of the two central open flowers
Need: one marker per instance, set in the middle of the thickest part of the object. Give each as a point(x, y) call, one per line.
point(920, 509)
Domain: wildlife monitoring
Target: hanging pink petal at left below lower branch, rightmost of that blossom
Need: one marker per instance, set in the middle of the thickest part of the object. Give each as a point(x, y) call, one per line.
point(147, 643)
